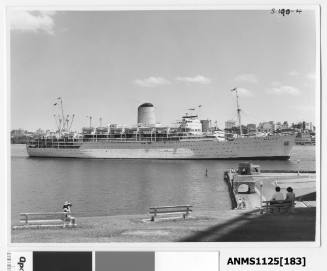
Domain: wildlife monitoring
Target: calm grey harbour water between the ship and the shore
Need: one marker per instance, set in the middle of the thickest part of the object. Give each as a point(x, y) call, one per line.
point(110, 187)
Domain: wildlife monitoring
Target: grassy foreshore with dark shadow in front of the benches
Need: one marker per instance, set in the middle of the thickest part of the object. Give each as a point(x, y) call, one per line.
point(230, 225)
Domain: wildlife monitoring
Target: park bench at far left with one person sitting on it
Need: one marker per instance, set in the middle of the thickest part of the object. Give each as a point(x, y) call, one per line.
point(53, 219)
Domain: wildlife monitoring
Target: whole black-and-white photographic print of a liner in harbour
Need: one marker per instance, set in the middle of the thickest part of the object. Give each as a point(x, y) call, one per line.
point(164, 125)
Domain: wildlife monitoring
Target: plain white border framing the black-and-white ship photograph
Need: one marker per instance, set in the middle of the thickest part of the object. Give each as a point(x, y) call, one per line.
point(208, 246)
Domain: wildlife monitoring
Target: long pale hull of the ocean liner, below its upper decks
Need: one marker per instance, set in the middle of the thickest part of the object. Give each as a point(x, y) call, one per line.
point(272, 147)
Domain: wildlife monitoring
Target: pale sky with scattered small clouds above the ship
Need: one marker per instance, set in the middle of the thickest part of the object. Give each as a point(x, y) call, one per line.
point(105, 64)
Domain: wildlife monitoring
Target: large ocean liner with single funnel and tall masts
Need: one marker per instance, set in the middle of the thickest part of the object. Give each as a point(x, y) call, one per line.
point(187, 140)
